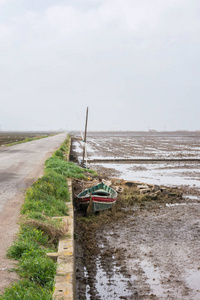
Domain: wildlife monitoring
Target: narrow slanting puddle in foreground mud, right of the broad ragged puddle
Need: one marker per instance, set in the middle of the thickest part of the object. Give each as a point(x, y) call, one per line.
point(153, 278)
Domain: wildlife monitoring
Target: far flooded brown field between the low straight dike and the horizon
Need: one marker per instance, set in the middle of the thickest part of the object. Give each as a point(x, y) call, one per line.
point(142, 145)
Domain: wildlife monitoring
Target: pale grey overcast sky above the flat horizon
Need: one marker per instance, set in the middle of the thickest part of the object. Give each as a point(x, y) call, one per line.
point(135, 63)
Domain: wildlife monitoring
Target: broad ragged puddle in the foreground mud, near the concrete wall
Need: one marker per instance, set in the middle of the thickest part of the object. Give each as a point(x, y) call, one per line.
point(111, 285)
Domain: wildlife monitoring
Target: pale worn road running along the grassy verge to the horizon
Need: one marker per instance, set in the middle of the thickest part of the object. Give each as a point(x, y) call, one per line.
point(20, 165)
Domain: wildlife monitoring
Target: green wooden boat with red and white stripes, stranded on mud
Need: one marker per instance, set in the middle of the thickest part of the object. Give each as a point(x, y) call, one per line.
point(98, 197)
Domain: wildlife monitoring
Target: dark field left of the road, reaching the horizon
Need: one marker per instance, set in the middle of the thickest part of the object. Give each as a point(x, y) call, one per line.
point(8, 137)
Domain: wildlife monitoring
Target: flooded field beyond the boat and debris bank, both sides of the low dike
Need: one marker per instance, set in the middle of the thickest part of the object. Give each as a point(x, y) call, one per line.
point(149, 146)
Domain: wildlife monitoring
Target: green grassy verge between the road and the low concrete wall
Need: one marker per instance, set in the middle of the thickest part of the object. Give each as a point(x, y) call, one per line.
point(40, 231)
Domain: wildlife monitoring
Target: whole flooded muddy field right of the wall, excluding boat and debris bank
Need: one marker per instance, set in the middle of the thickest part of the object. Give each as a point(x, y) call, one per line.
point(153, 251)
